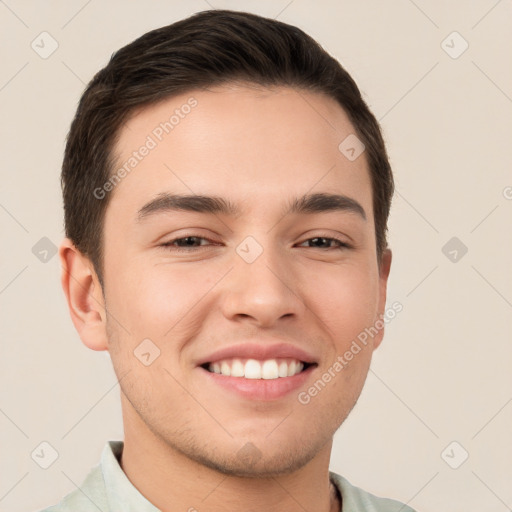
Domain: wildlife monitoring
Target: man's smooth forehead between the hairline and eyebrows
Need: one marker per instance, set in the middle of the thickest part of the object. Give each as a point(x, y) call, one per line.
point(254, 146)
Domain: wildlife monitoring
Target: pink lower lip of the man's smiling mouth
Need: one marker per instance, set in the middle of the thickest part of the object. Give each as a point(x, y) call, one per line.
point(260, 389)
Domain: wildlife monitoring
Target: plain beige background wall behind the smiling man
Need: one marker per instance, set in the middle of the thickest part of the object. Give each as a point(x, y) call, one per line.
point(443, 371)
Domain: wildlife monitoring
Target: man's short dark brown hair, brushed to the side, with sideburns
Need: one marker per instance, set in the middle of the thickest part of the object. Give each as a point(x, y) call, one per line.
point(209, 48)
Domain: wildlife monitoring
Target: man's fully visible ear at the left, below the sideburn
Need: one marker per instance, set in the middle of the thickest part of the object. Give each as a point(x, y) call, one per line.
point(84, 296)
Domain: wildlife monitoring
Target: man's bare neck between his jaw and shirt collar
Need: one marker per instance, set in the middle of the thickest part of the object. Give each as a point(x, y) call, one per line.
point(172, 481)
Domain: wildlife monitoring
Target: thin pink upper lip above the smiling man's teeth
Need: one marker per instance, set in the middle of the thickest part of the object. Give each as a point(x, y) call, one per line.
point(258, 351)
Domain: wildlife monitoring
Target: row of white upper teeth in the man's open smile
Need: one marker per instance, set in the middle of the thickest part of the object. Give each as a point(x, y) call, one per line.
point(254, 369)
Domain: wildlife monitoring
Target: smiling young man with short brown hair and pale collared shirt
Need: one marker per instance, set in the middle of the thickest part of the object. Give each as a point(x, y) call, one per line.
point(226, 195)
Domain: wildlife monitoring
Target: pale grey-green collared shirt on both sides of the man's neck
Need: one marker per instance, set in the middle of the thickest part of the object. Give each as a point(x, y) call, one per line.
point(107, 489)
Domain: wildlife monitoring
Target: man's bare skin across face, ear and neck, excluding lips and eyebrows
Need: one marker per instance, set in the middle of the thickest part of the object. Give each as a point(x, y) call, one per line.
point(259, 148)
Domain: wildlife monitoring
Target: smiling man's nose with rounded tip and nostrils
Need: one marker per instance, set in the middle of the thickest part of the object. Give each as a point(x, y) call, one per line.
point(262, 292)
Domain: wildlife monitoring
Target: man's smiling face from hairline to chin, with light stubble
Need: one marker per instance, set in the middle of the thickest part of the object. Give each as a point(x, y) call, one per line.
point(259, 283)
